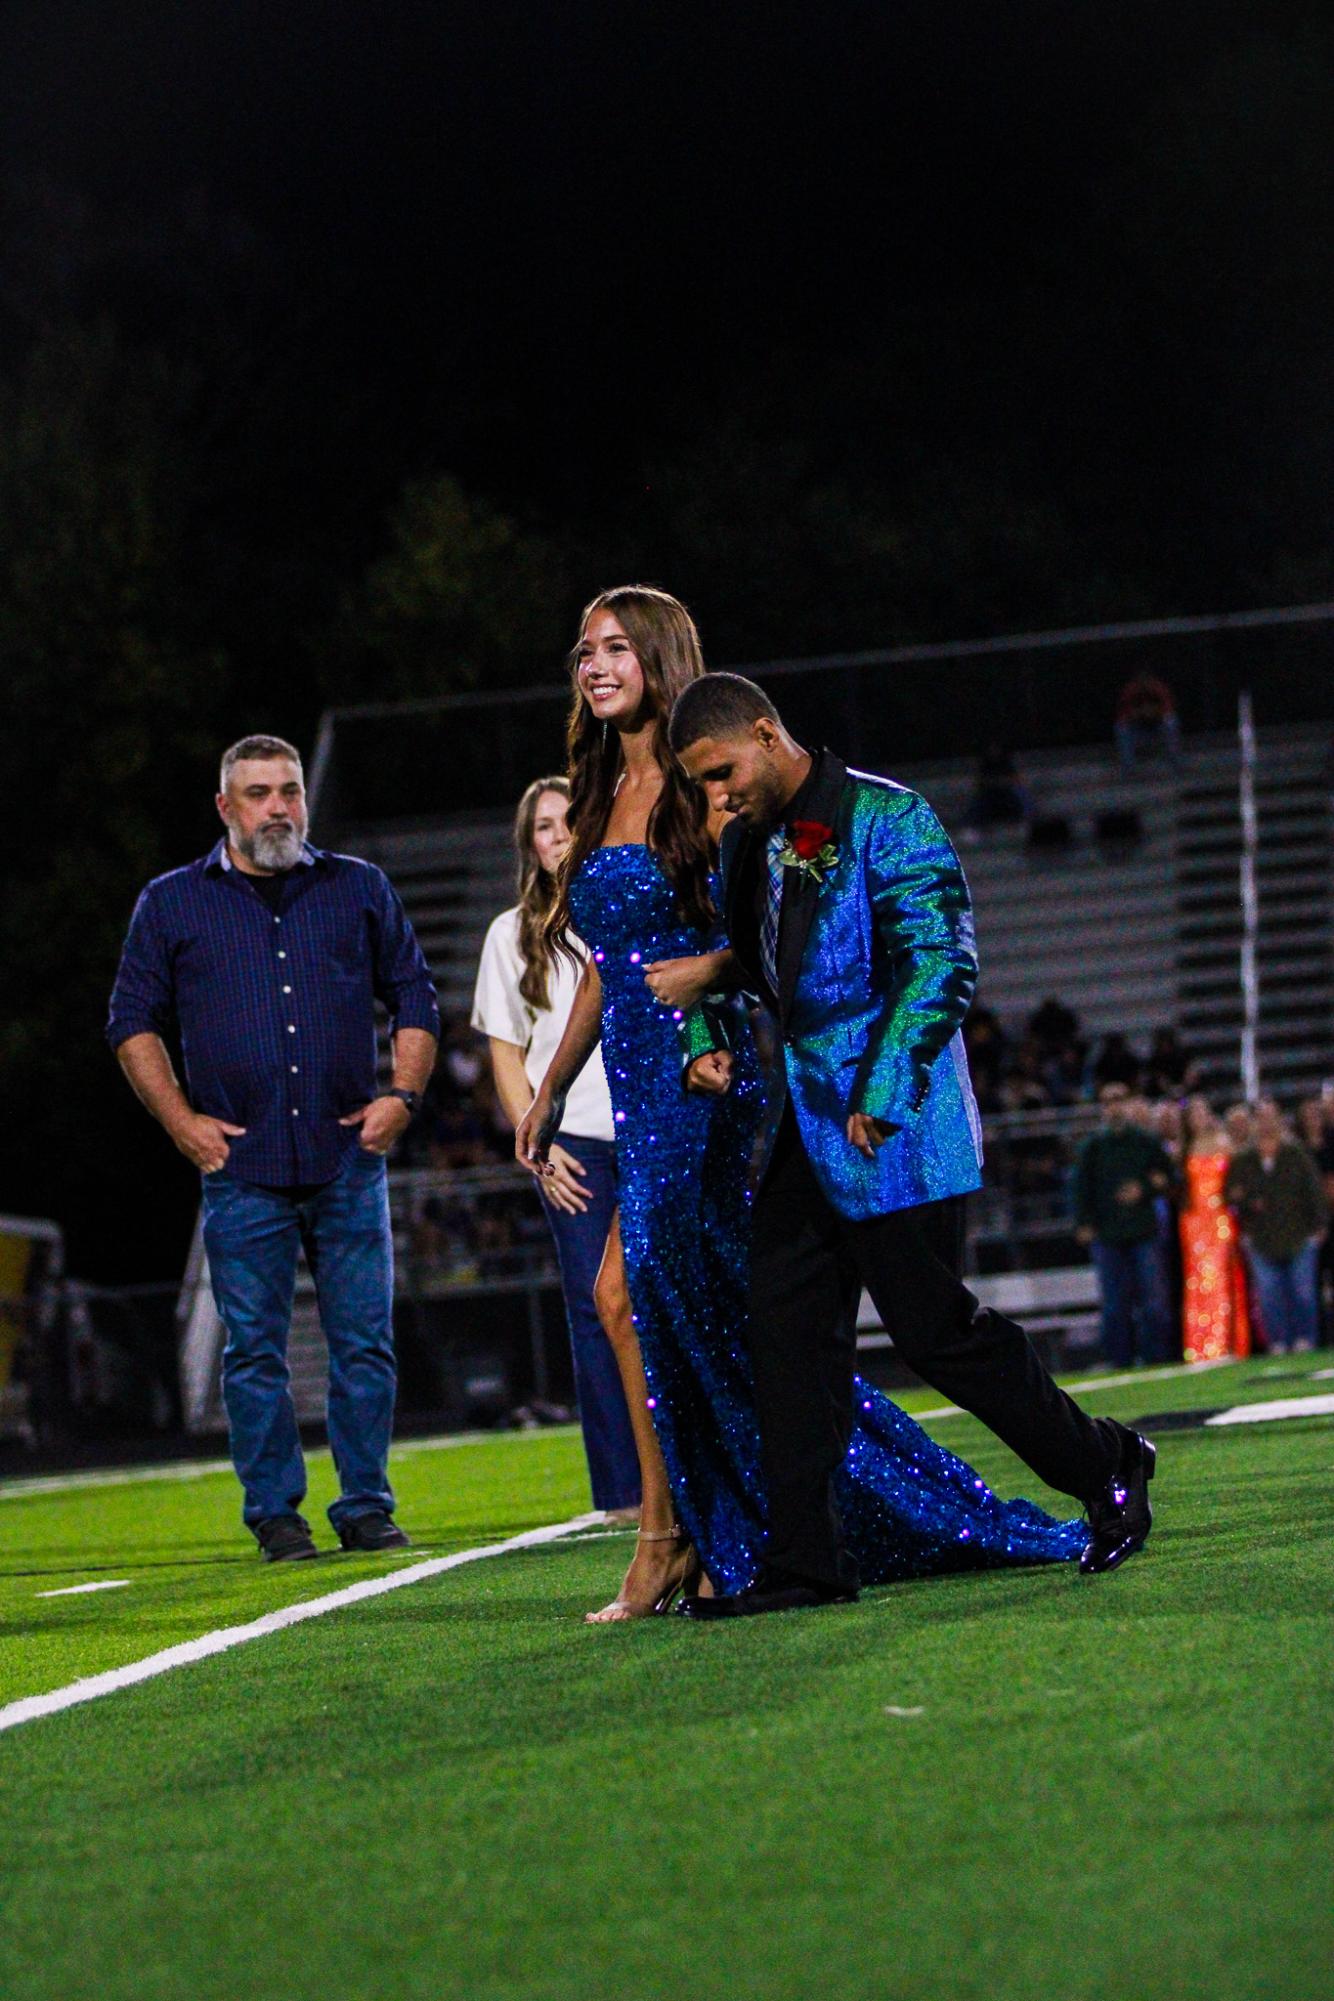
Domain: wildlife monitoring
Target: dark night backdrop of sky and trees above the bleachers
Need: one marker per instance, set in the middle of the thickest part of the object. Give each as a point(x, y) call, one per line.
point(851, 323)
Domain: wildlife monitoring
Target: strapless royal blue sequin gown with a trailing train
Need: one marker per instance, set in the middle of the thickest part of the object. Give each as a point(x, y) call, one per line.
point(909, 1508)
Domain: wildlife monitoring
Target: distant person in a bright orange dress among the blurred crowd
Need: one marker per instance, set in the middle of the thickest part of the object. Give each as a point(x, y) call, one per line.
point(1215, 1316)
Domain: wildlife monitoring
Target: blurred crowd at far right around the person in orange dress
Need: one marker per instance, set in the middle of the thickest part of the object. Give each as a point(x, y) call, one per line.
point(1209, 1228)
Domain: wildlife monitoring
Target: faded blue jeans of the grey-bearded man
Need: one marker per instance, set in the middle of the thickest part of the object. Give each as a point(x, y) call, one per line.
point(253, 1240)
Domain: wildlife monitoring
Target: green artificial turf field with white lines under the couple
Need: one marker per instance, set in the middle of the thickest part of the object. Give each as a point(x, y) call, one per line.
point(1113, 1786)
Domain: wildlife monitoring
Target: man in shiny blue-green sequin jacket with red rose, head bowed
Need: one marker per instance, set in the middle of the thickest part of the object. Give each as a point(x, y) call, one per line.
point(851, 921)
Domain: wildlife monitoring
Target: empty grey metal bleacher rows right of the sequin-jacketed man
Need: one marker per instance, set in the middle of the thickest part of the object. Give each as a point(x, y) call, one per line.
point(1145, 933)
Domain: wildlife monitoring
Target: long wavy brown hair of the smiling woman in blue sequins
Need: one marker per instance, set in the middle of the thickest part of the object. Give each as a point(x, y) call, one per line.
point(667, 647)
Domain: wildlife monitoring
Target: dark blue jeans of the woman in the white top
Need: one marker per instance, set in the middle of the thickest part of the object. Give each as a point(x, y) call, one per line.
point(581, 1242)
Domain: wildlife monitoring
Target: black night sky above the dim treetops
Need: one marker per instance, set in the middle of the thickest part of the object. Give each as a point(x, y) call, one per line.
point(553, 247)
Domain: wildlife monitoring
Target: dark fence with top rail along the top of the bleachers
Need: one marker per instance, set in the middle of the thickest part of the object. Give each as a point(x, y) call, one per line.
point(477, 749)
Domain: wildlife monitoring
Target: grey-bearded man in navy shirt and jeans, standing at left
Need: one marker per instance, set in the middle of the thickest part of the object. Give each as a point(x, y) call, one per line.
point(267, 959)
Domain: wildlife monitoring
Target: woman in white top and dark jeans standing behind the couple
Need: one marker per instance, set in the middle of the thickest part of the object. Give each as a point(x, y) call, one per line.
point(523, 1004)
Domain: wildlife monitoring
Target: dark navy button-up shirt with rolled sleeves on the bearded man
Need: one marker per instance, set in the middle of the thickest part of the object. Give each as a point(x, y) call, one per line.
point(275, 1010)
